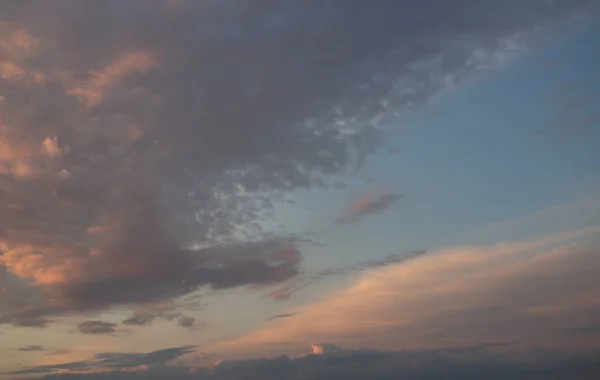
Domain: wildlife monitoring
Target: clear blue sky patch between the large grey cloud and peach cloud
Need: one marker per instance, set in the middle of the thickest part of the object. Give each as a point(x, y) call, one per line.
point(472, 159)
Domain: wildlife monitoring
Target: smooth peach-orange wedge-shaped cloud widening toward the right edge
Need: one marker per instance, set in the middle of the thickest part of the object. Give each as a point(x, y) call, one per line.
point(527, 291)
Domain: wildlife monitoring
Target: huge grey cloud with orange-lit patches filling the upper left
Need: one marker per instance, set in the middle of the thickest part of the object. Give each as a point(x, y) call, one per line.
point(133, 130)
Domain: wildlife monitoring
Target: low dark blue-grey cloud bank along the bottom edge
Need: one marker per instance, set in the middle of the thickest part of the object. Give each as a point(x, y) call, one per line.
point(336, 363)
